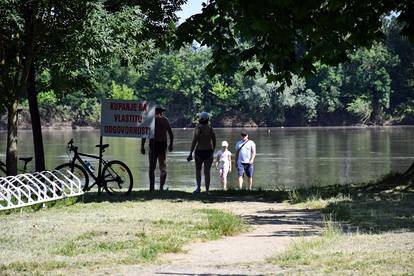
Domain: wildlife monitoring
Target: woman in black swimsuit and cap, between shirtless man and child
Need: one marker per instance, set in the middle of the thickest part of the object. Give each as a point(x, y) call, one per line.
point(204, 143)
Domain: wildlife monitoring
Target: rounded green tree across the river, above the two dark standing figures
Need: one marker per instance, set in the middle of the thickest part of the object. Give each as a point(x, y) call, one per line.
point(179, 81)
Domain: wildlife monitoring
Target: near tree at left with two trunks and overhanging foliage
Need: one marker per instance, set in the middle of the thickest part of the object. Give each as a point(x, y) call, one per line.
point(63, 35)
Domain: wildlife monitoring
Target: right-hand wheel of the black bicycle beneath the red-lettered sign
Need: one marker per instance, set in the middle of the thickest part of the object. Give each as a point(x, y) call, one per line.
point(117, 178)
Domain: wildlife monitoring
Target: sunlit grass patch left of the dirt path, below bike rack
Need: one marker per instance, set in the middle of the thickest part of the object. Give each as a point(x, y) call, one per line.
point(67, 239)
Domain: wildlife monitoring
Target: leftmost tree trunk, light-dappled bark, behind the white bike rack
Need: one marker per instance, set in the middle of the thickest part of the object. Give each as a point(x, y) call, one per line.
point(11, 152)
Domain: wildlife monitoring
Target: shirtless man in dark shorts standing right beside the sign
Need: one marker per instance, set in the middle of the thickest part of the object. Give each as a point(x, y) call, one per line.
point(158, 148)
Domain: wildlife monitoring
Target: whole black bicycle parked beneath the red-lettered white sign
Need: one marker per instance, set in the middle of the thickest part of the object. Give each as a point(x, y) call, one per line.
point(114, 176)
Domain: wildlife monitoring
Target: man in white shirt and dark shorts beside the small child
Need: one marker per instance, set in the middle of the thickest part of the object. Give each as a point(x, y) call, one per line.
point(245, 155)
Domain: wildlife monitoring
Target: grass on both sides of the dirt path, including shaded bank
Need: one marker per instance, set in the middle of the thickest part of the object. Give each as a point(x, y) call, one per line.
point(369, 230)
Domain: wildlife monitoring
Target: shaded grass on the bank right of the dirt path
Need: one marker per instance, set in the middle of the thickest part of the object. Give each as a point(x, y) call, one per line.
point(385, 205)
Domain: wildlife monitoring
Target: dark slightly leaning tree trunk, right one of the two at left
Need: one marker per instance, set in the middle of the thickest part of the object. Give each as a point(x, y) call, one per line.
point(35, 118)
